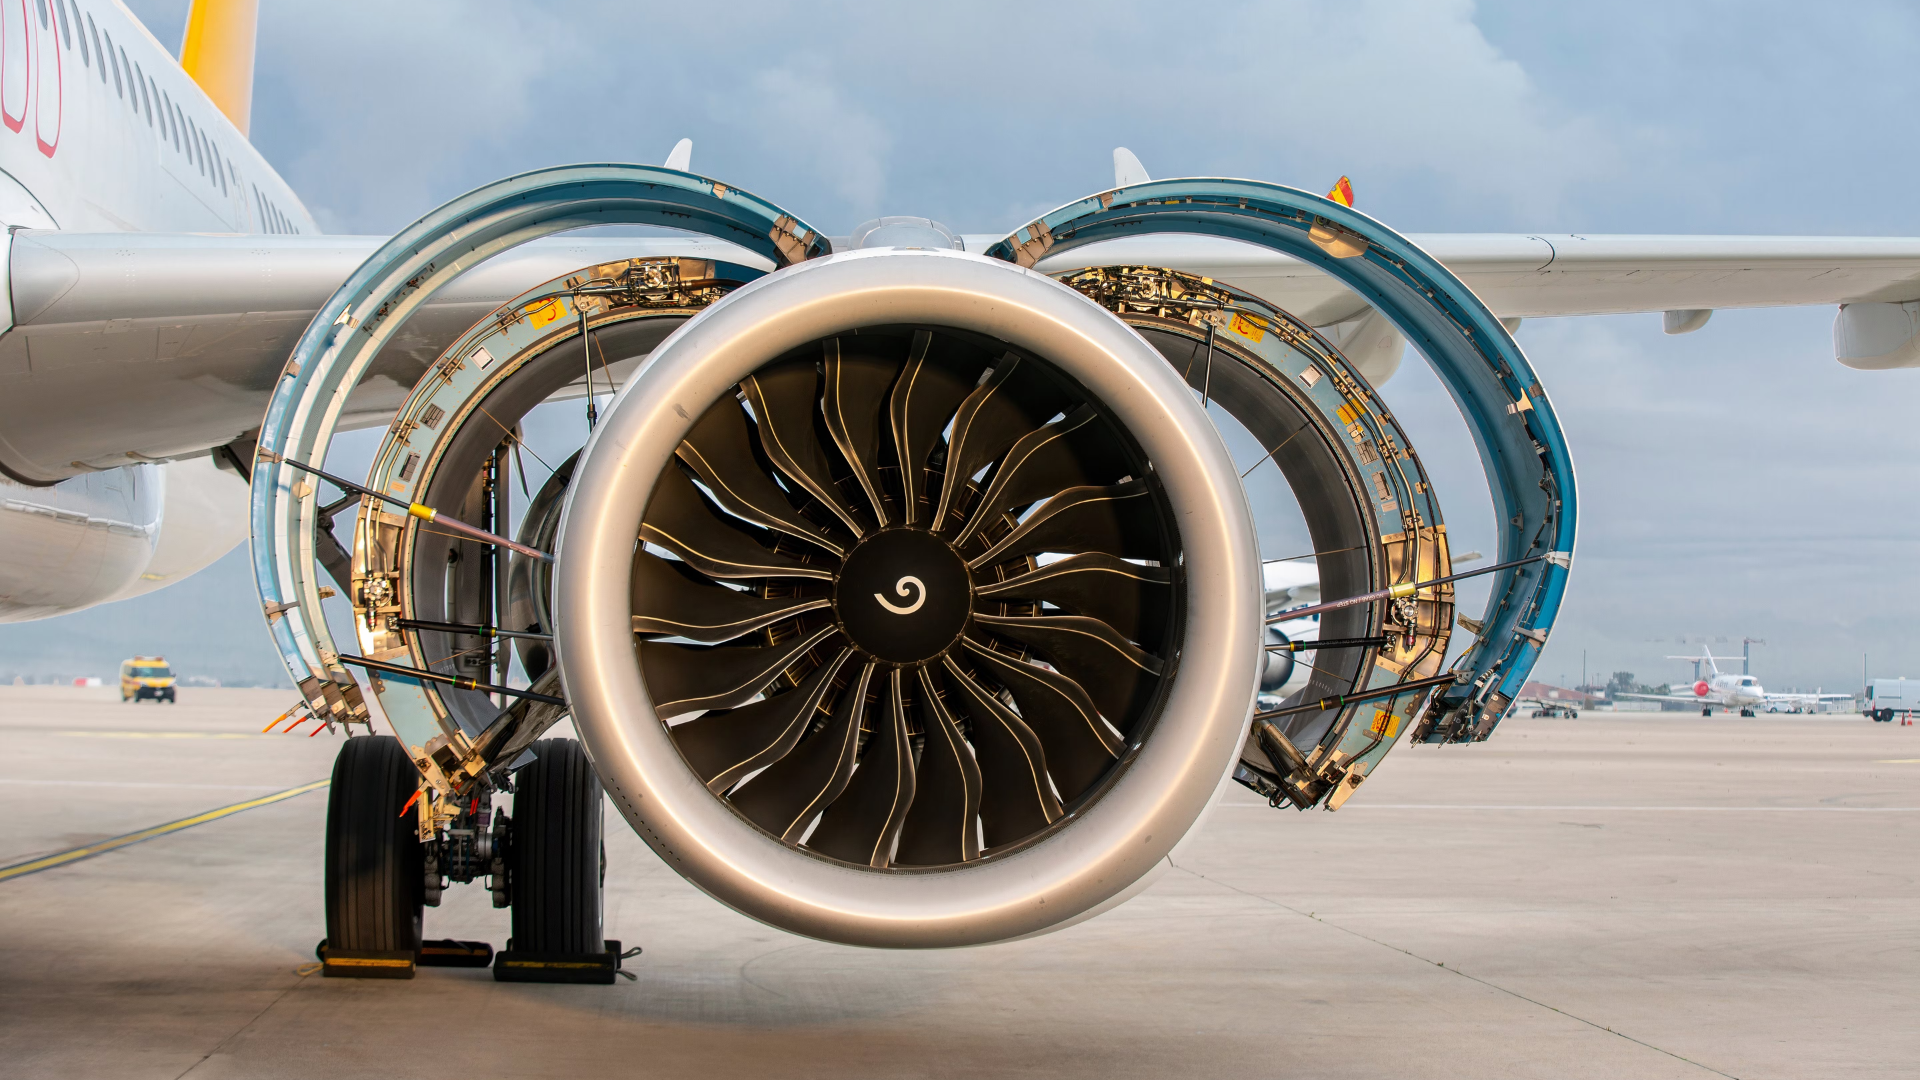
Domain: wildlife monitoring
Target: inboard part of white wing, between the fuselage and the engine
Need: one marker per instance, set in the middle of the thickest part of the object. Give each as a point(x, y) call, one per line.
point(147, 347)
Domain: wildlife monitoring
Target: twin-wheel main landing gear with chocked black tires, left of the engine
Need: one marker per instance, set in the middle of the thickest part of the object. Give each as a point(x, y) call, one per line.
point(546, 864)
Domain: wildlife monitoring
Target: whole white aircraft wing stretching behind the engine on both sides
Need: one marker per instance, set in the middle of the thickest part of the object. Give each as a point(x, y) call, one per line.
point(141, 347)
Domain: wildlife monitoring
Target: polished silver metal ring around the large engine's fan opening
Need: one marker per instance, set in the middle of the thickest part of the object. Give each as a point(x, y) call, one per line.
point(1115, 843)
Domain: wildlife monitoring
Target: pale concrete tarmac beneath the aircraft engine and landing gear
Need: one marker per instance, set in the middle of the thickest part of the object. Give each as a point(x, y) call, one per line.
point(1614, 896)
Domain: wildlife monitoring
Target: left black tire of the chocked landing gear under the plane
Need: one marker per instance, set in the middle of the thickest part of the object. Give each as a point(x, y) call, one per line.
point(375, 864)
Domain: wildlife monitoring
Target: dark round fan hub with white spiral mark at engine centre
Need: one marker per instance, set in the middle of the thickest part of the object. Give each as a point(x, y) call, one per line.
point(903, 597)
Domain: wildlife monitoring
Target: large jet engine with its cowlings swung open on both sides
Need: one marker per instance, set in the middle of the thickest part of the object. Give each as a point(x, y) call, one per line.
point(901, 597)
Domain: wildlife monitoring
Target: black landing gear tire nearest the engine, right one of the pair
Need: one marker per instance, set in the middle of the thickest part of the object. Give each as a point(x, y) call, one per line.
point(558, 862)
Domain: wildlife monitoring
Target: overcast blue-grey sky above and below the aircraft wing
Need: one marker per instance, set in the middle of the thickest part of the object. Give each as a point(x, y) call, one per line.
point(1733, 483)
